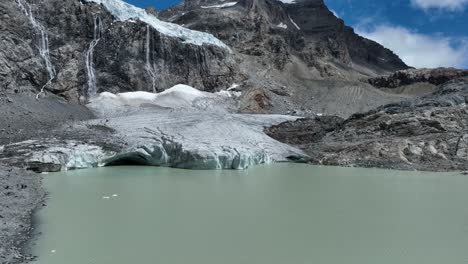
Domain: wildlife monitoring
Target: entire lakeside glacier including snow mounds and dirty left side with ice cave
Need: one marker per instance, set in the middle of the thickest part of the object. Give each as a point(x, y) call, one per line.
point(181, 127)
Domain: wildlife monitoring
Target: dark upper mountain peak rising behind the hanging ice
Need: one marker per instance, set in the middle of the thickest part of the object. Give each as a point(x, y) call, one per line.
point(275, 32)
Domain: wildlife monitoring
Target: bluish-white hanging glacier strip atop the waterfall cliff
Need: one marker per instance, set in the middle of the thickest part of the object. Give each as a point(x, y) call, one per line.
point(123, 11)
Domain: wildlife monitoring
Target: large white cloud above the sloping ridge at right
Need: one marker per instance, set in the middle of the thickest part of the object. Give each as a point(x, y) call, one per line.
point(420, 50)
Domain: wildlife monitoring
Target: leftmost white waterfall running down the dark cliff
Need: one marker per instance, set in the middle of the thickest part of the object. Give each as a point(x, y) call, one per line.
point(43, 42)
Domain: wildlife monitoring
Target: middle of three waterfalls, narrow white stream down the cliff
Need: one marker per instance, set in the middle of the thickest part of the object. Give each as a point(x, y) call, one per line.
point(92, 90)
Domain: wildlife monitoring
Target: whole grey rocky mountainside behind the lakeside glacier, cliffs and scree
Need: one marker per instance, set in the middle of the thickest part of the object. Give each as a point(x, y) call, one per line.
point(77, 48)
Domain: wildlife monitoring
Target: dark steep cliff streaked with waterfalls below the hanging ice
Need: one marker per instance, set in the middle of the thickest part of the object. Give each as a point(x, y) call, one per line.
point(127, 55)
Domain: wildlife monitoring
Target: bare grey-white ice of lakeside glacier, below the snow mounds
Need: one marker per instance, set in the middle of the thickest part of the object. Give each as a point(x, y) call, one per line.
point(199, 140)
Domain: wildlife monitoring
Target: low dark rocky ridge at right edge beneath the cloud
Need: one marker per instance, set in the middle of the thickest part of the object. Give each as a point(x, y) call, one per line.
point(407, 77)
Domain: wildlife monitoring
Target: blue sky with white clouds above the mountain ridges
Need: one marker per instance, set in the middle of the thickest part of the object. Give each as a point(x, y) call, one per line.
point(424, 33)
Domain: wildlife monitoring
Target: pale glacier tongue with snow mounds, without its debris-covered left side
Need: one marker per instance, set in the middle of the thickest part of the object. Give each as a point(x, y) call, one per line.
point(183, 127)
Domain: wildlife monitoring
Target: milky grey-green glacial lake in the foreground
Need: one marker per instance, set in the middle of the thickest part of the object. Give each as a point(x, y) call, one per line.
point(272, 214)
